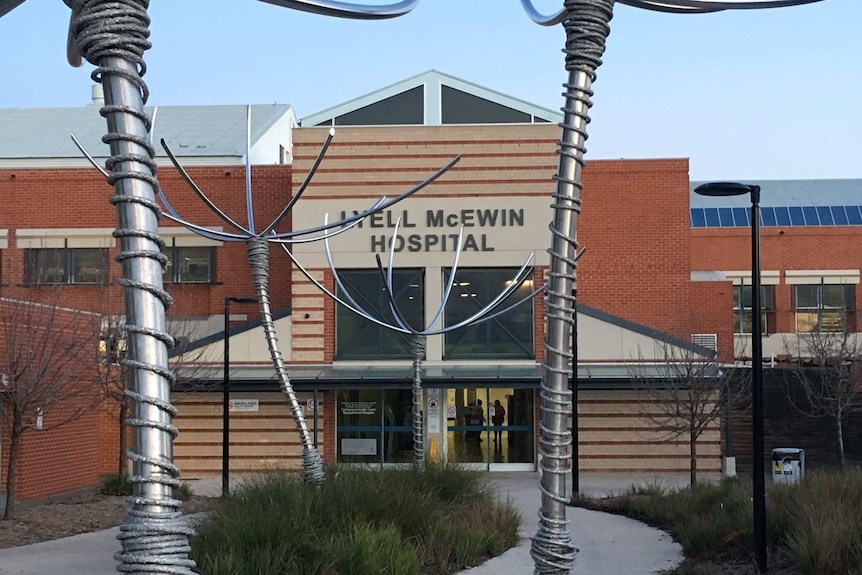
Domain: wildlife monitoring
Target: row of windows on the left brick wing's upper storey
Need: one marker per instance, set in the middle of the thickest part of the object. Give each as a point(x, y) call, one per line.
point(89, 266)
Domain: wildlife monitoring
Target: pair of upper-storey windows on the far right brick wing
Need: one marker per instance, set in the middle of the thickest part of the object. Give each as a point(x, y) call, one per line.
point(819, 308)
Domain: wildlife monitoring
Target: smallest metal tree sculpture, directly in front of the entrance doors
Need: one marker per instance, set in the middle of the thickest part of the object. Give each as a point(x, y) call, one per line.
point(418, 335)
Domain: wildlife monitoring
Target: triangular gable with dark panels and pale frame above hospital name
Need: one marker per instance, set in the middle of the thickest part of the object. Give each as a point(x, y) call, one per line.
point(432, 98)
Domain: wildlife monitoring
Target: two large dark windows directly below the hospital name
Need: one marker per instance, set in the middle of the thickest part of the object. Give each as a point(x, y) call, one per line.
point(508, 336)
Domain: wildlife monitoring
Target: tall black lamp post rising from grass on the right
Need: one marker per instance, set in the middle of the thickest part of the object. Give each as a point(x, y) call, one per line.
point(758, 479)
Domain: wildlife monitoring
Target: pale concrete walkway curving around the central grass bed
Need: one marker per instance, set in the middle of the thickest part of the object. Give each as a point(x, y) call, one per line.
point(609, 544)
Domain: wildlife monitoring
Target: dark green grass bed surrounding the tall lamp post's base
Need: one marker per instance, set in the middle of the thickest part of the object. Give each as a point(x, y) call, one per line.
point(813, 528)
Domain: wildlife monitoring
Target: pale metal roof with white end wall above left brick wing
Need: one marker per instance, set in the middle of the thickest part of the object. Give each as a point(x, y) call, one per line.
point(31, 135)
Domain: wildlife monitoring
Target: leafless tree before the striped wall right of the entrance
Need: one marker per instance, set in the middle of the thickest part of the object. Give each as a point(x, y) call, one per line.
point(684, 392)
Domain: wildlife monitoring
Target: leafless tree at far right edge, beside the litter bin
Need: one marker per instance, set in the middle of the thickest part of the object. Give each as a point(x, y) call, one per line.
point(829, 375)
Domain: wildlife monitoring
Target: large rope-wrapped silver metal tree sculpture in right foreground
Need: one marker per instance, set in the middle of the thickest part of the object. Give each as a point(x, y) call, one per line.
point(586, 23)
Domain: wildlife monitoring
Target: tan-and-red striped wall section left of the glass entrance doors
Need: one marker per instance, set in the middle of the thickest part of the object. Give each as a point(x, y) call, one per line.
point(259, 441)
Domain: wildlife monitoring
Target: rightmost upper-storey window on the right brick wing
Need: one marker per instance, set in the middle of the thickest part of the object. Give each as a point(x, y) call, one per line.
point(822, 307)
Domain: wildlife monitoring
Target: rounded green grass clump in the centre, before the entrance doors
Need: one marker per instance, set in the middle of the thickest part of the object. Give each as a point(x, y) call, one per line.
point(360, 522)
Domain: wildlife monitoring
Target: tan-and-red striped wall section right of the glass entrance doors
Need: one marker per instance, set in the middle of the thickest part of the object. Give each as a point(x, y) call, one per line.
point(613, 437)
